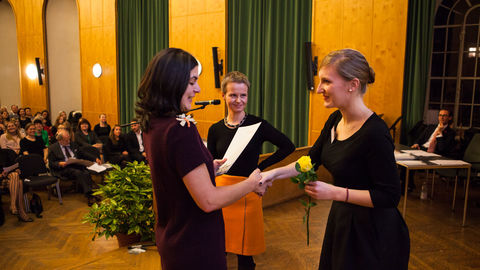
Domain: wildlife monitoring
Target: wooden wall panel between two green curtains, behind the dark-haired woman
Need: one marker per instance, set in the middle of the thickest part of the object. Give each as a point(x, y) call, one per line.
point(196, 26)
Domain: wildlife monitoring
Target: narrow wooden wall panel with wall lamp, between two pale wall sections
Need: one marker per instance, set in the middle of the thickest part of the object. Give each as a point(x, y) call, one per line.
point(29, 16)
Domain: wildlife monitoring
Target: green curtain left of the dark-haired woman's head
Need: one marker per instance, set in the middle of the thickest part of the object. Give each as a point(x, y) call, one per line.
point(142, 29)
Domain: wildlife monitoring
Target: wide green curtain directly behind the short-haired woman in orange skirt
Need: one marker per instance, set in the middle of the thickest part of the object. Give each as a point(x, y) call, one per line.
point(266, 42)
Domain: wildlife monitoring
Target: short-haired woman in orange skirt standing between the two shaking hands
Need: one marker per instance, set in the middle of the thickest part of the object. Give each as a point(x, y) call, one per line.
point(239, 138)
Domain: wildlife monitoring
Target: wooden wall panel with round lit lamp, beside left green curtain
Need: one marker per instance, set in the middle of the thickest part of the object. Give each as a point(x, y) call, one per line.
point(97, 22)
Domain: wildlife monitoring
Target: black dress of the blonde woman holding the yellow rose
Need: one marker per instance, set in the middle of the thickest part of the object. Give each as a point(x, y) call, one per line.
point(360, 237)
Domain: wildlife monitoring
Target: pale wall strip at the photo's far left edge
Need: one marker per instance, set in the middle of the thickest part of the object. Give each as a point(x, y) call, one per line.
point(9, 73)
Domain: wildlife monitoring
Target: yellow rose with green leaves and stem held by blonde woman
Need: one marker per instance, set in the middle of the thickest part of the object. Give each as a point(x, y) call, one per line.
point(305, 167)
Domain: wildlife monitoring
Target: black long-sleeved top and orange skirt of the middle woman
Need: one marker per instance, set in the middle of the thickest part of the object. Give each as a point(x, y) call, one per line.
point(244, 219)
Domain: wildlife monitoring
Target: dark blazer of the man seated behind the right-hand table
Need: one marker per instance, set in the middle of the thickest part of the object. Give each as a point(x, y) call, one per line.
point(445, 144)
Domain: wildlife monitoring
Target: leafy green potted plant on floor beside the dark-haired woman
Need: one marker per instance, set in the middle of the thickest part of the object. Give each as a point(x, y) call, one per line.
point(127, 206)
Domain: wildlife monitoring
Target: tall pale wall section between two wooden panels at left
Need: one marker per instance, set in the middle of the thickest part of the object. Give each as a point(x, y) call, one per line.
point(63, 50)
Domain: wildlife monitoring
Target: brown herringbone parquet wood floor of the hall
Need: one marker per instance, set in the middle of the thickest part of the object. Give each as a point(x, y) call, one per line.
point(60, 241)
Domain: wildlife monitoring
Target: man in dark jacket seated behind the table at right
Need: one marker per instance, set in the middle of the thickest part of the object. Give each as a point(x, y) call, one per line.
point(439, 138)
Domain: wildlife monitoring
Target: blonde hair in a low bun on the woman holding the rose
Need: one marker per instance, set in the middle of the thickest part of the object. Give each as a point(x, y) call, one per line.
point(350, 64)
